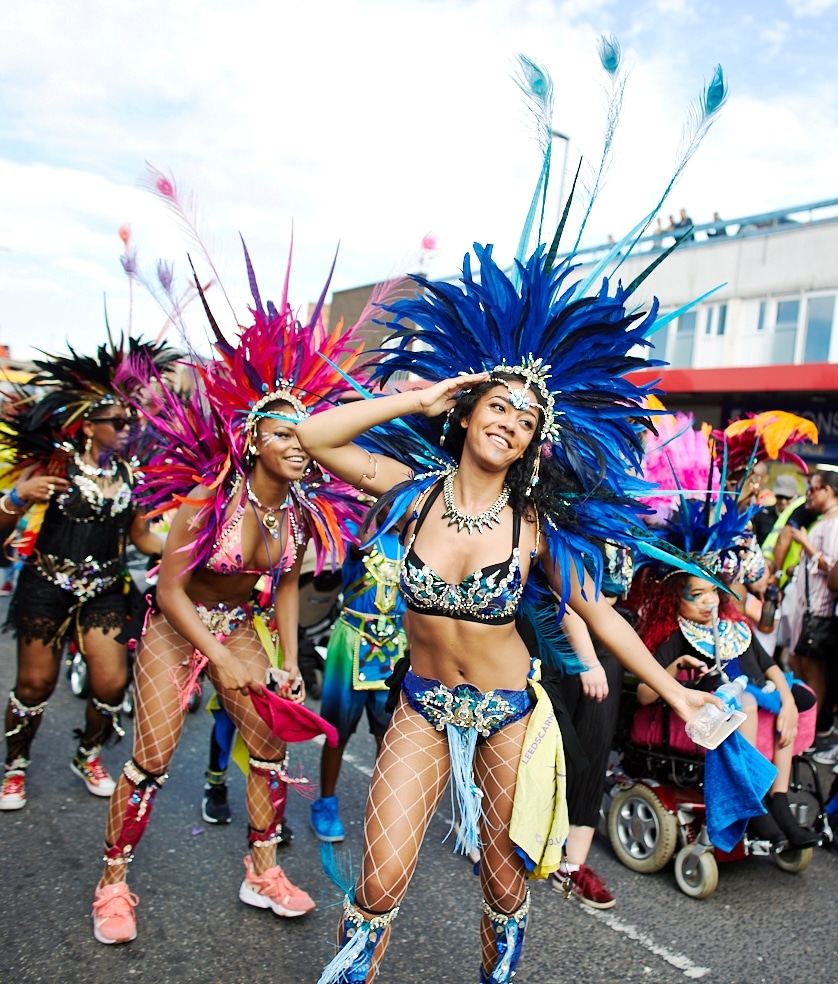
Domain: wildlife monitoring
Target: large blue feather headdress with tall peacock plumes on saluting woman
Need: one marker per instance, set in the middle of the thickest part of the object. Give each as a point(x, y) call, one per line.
point(540, 329)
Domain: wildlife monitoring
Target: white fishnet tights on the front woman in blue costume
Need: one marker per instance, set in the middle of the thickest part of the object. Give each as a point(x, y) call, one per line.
point(411, 774)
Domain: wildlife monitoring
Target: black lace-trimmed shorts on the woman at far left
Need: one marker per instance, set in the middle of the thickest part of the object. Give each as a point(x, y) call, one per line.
point(38, 608)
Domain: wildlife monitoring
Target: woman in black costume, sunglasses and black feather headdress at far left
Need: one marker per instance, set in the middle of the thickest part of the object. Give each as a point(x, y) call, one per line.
point(71, 515)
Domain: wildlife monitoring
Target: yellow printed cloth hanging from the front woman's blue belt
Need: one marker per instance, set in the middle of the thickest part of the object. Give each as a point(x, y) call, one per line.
point(539, 824)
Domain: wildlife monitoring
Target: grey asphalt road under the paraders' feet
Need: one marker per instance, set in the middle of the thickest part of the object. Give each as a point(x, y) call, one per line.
point(760, 925)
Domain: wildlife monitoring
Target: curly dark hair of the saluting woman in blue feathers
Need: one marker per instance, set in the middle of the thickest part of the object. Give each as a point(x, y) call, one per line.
point(553, 480)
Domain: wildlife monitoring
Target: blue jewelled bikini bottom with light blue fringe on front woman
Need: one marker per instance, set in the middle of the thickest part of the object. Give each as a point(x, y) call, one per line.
point(465, 714)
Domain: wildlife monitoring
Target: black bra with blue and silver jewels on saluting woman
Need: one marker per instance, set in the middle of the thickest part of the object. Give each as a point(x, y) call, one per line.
point(488, 595)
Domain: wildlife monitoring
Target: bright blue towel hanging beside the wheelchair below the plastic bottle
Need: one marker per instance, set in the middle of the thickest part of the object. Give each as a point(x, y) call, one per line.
point(736, 779)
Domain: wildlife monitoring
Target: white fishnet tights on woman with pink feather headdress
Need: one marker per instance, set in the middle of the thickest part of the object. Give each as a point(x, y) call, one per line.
point(158, 725)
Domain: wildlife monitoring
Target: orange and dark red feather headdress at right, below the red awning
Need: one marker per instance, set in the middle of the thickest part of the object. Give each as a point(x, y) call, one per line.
point(767, 436)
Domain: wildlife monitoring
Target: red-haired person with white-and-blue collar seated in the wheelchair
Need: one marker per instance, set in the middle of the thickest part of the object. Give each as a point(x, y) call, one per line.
point(696, 633)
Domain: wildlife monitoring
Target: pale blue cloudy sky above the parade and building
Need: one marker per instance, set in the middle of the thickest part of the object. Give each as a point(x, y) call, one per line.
point(367, 124)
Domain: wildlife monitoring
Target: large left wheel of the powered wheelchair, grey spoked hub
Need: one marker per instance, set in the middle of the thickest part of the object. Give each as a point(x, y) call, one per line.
point(642, 832)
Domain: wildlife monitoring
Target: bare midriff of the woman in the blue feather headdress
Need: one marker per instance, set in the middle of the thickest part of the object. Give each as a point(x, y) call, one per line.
point(491, 657)
